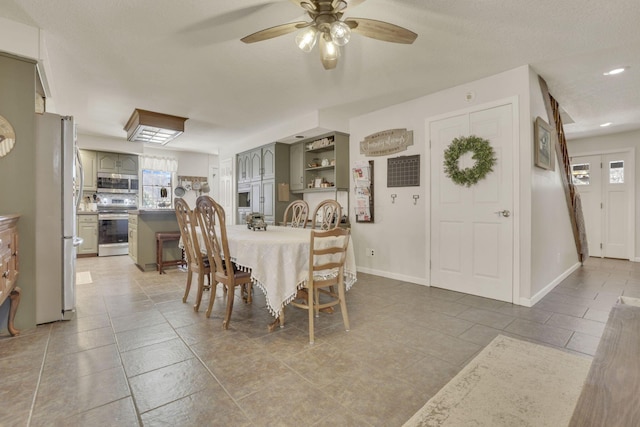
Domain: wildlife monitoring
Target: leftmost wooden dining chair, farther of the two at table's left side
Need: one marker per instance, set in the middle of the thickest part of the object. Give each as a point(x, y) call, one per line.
point(196, 262)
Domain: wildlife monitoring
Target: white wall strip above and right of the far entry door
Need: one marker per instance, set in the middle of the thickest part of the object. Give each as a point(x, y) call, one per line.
point(608, 143)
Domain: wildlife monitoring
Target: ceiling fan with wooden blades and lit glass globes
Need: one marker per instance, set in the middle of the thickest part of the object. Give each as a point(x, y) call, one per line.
point(329, 30)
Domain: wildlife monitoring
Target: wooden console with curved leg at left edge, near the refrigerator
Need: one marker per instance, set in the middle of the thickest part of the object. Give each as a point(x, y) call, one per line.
point(9, 267)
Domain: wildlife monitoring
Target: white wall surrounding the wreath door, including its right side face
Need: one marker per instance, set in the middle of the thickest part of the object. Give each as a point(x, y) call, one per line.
point(400, 233)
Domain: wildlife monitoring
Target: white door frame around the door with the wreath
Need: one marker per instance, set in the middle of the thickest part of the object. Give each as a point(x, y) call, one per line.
point(514, 101)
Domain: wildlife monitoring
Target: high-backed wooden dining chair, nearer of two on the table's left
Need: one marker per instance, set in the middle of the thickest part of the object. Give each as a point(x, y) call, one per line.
point(211, 218)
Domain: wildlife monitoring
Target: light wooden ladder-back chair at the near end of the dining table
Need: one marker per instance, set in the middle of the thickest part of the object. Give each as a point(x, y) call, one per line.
point(327, 255)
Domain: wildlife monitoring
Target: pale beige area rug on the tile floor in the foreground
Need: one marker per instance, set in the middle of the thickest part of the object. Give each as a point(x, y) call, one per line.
point(509, 383)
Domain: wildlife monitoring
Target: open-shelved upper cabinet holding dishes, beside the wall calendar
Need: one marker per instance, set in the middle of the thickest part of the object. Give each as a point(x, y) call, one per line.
point(326, 163)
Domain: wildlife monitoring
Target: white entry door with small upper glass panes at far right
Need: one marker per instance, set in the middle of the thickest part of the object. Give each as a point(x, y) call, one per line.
point(604, 185)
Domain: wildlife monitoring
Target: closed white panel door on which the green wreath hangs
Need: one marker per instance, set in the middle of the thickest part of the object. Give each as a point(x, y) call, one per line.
point(472, 227)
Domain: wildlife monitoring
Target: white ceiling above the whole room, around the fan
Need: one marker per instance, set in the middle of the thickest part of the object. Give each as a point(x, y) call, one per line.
point(185, 58)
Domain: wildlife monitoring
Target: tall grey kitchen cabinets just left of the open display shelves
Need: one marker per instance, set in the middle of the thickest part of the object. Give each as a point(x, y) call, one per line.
point(264, 169)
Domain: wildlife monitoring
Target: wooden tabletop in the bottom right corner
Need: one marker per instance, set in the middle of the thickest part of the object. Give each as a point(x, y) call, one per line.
point(610, 394)
